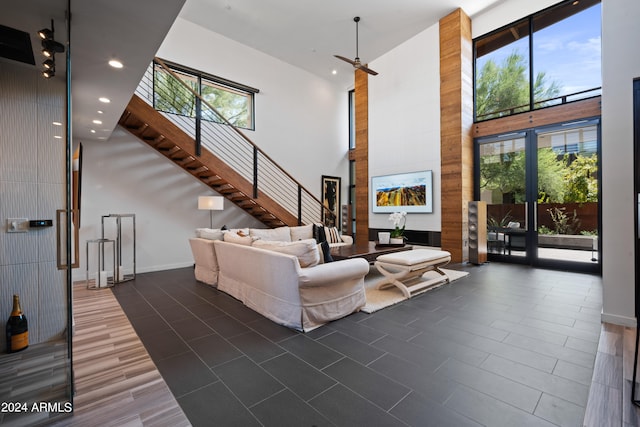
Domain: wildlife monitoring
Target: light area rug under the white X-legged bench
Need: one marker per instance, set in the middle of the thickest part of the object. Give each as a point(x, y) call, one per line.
point(379, 299)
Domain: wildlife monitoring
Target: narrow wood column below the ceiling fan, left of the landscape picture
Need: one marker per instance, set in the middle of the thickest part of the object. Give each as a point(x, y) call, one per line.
point(361, 156)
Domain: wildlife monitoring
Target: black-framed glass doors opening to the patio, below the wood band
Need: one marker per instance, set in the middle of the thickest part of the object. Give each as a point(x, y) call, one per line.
point(541, 188)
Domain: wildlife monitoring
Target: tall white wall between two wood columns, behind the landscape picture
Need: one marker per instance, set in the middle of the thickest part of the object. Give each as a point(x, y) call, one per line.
point(404, 120)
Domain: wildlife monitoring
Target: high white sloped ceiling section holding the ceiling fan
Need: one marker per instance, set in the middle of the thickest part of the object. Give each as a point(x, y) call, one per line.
point(308, 33)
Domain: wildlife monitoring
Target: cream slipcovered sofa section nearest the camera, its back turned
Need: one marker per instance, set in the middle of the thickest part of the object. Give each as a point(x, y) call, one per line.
point(276, 286)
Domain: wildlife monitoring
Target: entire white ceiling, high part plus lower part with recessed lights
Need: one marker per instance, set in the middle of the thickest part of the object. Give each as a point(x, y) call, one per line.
point(303, 33)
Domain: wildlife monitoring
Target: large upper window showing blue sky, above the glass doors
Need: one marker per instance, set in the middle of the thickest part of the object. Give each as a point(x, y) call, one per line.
point(548, 58)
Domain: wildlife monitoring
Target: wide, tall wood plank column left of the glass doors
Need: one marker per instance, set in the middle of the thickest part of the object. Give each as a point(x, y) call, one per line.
point(456, 125)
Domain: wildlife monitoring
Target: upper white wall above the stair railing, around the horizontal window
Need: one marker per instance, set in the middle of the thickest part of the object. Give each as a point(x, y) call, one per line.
point(301, 119)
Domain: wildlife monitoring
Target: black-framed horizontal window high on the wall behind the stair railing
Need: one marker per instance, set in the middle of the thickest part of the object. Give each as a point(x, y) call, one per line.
point(231, 101)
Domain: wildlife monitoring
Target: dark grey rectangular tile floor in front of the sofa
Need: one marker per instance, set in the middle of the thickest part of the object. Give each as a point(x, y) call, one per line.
point(507, 345)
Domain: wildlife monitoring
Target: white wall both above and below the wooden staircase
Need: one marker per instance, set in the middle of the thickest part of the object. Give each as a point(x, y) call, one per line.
point(301, 122)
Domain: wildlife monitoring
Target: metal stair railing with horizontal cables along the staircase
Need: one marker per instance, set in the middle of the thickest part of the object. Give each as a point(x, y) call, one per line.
point(228, 143)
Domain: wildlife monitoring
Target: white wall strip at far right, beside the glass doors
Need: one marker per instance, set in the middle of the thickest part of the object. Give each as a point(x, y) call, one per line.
point(620, 65)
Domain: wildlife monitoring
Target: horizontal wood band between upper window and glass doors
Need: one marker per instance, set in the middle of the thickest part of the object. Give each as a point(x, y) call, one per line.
point(547, 116)
